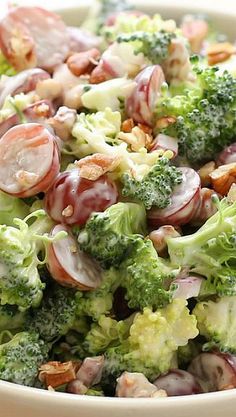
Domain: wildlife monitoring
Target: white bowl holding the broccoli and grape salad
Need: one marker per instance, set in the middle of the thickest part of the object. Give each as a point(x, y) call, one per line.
point(18, 401)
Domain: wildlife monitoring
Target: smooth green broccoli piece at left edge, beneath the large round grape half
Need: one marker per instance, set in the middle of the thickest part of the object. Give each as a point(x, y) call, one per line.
point(10, 208)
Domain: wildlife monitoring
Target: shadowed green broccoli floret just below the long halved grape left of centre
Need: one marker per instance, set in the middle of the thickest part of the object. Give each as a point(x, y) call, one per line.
point(98, 302)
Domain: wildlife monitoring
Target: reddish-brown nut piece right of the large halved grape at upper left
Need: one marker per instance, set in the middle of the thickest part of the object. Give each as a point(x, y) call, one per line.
point(83, 62)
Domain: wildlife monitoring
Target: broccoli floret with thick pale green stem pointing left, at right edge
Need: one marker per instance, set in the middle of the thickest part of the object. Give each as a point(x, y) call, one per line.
point(210, 252)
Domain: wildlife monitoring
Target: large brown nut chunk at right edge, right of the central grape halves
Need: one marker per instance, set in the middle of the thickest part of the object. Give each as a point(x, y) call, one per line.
point(223, 177)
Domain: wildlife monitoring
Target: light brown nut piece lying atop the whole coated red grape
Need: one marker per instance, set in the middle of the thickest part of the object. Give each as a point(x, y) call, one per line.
point(94, 166)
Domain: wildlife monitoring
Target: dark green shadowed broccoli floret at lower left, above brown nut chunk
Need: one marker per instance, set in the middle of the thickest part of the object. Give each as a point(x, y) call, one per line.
point(57, 314)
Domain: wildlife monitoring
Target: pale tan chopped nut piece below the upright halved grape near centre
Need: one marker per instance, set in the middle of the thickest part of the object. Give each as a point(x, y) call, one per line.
point(137, 139)
